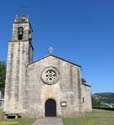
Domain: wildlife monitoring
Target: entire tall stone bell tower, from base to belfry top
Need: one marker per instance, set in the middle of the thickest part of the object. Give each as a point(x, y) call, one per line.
point(20, 54)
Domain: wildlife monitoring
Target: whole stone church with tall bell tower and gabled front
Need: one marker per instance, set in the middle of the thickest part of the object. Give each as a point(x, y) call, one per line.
point(51, 86)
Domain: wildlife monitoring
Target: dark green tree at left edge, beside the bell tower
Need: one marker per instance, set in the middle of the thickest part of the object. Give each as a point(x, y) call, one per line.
point(2, 76)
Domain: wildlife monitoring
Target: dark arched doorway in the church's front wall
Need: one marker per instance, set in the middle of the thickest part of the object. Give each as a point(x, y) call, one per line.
point(50, 108)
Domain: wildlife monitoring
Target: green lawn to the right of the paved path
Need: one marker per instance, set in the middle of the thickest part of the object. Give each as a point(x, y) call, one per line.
point(97, 117)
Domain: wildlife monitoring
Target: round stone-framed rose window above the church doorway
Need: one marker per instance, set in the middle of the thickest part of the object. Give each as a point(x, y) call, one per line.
point(50, 75)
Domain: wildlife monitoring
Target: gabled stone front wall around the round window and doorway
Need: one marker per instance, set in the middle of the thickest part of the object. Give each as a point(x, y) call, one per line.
point(67, 88)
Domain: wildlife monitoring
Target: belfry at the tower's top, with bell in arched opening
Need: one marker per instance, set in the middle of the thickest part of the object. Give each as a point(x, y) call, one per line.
point(22, 30)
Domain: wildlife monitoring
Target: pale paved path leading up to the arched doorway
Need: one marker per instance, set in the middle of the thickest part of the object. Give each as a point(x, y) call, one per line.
point(49, 121)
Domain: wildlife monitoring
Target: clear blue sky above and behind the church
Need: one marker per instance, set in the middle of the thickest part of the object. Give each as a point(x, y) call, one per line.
point(81, 31)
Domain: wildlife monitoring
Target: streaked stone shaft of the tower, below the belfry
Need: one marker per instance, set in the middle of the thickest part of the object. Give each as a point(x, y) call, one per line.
point(18, 59)
